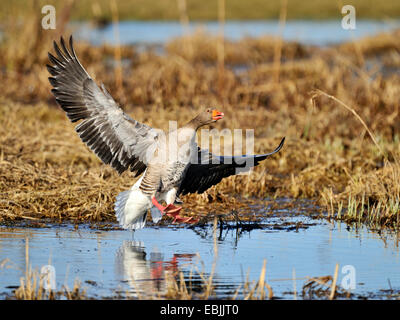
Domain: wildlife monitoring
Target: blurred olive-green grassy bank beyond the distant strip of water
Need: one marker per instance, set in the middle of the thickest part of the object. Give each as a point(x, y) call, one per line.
point(101, 10)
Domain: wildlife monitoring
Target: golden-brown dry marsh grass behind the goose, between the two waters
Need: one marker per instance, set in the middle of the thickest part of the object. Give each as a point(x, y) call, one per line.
point(329, 156)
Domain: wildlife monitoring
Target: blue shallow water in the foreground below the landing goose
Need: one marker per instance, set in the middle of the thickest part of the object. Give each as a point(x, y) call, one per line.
point(114, 262)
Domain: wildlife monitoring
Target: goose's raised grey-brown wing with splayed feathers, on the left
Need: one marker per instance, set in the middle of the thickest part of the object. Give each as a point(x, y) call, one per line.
point(111, 134)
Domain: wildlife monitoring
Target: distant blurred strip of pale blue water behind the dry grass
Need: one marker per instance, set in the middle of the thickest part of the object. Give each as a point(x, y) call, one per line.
point(319, 33)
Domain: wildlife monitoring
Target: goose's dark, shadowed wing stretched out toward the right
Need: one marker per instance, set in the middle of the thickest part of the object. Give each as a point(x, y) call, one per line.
point(211, 169)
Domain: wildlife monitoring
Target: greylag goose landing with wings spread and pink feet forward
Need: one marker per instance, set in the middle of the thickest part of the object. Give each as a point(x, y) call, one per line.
point(170, 163)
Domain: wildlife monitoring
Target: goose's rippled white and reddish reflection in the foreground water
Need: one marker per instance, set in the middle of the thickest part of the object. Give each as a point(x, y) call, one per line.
point(146, 276)
